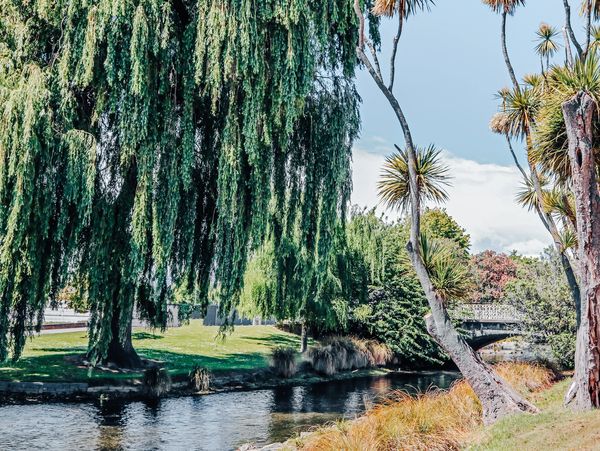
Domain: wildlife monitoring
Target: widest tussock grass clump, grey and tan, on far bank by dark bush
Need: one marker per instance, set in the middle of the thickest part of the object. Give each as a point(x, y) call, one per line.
point(336, 354)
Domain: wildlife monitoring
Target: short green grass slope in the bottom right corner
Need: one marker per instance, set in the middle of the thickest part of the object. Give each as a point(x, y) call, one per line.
point(555, 428)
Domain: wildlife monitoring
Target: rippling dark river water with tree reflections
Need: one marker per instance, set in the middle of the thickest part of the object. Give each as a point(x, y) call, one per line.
point(216, 422)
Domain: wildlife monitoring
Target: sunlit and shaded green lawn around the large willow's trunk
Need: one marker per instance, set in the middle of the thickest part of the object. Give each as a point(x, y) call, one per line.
point(248, 347)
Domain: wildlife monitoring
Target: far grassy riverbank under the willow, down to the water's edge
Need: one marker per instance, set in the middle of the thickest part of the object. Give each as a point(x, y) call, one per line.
point(52, 368)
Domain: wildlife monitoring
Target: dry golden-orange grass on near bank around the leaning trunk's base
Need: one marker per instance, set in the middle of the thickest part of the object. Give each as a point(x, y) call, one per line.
point(438, 420)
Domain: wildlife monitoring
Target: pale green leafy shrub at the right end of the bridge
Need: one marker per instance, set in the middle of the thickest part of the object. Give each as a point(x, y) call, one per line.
point(542, 294)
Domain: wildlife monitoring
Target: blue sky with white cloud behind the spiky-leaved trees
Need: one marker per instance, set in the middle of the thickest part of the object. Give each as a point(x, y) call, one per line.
point(449, 68)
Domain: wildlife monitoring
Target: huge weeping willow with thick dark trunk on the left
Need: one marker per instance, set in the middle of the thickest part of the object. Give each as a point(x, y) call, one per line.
point(146, 143)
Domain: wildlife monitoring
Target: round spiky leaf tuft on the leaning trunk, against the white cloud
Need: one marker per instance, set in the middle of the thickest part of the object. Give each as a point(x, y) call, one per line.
point(432, 177)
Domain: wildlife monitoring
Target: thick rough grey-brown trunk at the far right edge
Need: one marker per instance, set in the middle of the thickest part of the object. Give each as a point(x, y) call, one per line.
point(579, 113)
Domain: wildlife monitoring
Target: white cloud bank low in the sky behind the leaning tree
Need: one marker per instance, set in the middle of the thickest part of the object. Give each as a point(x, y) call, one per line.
point(482, 200)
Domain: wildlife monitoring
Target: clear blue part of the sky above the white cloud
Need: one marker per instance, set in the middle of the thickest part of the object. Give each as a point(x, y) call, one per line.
point(450, 66)
